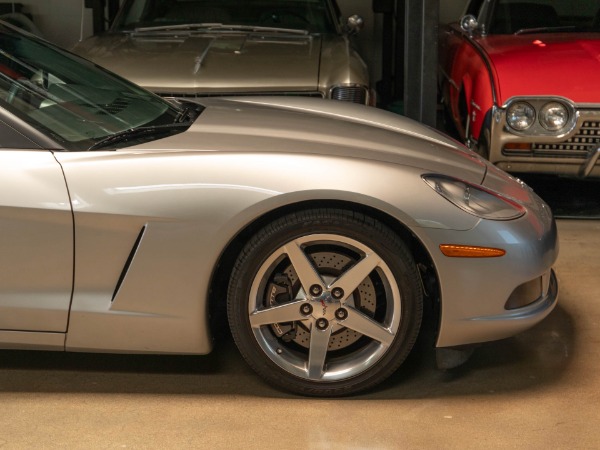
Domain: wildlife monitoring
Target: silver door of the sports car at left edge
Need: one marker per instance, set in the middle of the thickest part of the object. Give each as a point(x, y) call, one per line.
point(36, 239)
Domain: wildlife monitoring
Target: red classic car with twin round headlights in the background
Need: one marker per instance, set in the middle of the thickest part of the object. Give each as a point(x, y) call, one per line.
point(521, 83)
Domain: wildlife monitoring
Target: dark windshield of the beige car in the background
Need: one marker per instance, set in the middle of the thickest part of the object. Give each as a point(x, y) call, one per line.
point(311, 15)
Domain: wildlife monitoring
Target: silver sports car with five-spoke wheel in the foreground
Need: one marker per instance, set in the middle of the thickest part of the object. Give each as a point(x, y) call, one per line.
point(323, 229)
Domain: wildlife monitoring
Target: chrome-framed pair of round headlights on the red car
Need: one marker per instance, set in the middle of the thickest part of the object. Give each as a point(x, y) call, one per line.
point(540, 116)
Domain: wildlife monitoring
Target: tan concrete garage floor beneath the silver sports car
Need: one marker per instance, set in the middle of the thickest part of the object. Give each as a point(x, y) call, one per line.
point(539, 390)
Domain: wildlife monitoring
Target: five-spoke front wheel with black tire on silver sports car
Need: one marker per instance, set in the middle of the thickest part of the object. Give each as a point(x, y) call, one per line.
point(325, 302)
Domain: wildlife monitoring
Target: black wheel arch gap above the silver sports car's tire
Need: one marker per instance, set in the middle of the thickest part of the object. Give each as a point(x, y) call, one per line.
point(220, 278)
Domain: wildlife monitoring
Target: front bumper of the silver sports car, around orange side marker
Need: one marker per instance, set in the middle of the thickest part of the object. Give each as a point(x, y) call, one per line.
point(486, 299)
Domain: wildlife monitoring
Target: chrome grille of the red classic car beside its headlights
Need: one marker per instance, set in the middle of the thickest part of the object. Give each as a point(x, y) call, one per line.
point(579, 146)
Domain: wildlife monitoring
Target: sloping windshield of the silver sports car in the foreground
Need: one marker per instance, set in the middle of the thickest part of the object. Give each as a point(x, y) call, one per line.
point(73, 101)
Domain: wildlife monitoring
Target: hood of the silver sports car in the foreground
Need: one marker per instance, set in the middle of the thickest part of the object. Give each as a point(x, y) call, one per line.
point(304, 125)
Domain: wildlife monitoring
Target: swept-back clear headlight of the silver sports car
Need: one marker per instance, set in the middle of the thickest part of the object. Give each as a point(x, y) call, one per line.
point(475, 200)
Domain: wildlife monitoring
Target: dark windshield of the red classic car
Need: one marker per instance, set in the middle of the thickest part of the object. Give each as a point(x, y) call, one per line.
point(514, 16)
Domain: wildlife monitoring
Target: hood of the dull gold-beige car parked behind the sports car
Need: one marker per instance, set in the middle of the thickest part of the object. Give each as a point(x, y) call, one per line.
point(205, 63)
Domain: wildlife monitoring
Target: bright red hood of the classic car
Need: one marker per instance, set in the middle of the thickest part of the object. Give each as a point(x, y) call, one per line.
point(560, 64)
